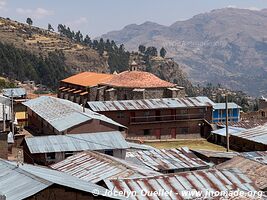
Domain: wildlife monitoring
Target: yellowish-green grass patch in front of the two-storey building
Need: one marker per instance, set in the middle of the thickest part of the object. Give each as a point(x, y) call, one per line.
point(191, 144)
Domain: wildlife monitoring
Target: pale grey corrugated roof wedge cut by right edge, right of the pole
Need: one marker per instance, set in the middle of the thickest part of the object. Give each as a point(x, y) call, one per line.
point(257, 134)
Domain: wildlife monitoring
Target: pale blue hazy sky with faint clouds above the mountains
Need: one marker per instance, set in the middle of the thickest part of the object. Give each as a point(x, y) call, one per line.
point(97, 17)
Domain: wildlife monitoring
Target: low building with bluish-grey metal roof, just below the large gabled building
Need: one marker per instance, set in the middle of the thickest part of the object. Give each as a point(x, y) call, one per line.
point(45, 150)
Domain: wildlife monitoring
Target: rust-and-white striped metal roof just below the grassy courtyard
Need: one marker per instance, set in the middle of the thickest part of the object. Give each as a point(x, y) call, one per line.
point(167, 159)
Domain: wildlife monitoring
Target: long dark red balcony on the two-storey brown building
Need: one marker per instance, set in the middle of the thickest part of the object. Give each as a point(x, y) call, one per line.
point(165, 118)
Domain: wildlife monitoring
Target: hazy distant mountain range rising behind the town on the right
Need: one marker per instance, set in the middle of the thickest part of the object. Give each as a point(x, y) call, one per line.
point(226, 46)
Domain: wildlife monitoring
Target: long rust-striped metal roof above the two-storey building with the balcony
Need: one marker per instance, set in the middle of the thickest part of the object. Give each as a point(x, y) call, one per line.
point(146, 104)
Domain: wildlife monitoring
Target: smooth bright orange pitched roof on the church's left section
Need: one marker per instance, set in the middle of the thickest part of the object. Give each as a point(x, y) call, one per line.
point(88, 78)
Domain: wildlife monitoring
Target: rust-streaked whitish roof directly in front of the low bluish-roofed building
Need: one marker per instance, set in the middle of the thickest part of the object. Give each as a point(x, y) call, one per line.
point(94, 167)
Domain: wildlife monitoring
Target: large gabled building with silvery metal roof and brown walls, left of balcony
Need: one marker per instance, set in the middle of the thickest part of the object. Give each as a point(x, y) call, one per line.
point(49, 116)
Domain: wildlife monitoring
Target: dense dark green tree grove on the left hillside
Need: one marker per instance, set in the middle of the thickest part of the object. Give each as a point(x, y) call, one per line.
point(22, 65)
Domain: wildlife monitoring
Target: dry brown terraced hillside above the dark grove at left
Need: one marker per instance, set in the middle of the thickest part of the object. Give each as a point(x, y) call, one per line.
point(40, 42)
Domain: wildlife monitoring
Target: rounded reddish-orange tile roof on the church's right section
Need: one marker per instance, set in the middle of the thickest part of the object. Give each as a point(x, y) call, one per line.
point(137, 79)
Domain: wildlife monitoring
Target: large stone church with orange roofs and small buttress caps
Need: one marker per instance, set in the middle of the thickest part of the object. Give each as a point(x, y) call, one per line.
point(127, 85)
